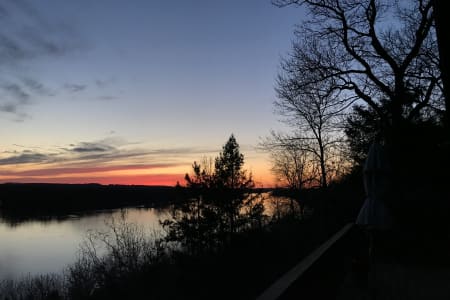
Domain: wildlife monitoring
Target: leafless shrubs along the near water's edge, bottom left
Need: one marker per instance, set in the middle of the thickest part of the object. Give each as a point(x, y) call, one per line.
point(106, 260)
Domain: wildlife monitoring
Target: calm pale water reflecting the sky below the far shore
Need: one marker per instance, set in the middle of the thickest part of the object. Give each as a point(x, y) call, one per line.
point(45, 246)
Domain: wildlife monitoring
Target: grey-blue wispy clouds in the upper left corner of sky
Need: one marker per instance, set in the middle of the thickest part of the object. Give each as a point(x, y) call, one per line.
point(25, 35)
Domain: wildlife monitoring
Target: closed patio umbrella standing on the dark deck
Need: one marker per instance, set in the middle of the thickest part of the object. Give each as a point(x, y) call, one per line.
point(377, 181)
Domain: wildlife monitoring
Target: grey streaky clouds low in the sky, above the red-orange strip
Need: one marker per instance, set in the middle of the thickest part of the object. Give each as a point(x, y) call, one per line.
point(103, 155)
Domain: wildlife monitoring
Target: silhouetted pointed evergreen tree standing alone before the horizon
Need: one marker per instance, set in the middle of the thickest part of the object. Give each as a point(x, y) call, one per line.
point(218, 195)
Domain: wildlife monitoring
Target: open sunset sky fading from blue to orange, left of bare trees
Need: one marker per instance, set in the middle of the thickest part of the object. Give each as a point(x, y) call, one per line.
point(133, 92)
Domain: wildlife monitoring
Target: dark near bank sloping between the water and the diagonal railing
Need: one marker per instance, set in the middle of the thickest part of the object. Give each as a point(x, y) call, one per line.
point(240, 271)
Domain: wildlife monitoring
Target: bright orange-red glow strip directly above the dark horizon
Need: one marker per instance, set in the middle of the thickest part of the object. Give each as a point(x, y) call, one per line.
point(128, 174)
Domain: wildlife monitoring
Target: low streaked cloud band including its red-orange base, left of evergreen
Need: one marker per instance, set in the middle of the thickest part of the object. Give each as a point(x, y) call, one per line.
point(109, 160)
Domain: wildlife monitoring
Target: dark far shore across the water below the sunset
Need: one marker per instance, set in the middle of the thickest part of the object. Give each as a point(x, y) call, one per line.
point(44, 198)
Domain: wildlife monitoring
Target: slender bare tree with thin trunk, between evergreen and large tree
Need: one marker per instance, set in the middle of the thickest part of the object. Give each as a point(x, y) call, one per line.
point(314, 115)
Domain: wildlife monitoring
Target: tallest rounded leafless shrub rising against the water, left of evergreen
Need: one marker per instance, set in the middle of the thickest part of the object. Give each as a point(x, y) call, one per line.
point(109, 258)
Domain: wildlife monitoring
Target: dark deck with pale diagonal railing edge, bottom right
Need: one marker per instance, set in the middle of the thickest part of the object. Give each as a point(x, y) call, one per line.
point(420, 271)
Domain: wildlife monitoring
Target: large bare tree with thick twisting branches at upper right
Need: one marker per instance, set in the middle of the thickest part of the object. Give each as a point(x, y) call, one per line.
point(381, 52)
